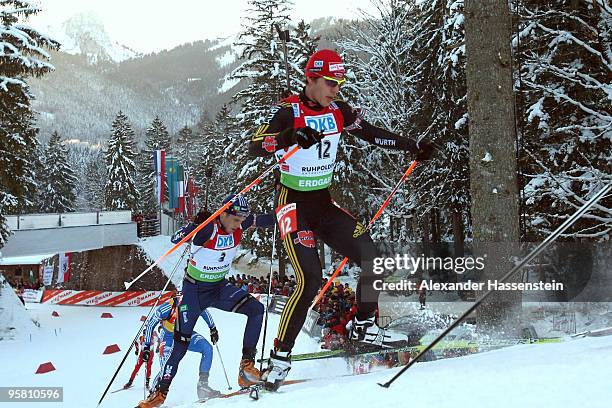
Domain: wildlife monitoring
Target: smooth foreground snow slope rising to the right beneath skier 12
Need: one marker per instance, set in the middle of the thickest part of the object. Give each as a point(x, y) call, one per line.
point(555, 375)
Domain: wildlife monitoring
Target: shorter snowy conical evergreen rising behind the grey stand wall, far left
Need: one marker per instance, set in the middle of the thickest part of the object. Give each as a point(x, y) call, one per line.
point(57, 193)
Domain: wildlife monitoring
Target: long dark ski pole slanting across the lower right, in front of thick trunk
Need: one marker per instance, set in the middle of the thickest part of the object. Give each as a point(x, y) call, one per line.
point(536, 251)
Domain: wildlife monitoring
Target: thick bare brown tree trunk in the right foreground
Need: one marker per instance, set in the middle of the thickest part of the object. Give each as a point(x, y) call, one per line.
point(493, 167)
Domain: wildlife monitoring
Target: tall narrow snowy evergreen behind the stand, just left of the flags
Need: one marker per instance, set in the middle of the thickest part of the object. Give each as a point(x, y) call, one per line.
point(120, 191)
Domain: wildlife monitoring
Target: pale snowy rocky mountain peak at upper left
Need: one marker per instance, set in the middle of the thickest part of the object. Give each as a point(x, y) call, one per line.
point(85, 34)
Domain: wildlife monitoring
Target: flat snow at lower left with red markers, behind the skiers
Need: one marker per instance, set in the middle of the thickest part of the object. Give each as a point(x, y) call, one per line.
point(74, 343)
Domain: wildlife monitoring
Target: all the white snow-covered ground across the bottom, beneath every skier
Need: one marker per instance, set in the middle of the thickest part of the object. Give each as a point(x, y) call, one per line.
point(571, 374)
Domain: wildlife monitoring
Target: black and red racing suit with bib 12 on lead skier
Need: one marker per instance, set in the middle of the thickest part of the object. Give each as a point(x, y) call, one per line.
point(305, 209)
